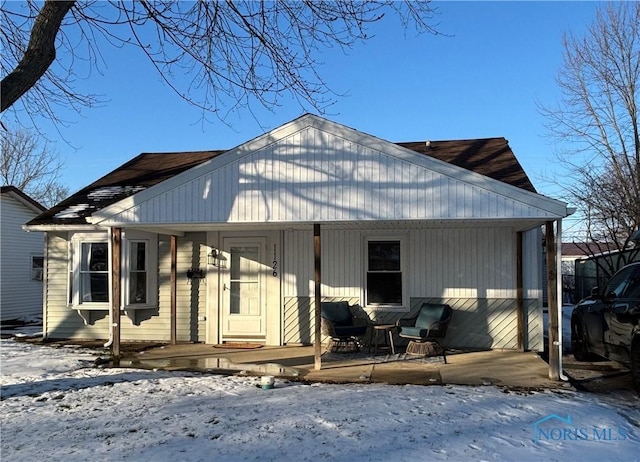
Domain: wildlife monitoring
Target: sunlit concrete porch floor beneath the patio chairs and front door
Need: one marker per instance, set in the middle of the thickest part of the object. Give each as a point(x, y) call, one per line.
point(507, 368)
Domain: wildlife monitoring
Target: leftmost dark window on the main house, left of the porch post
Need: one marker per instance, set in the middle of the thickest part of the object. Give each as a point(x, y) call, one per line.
point(94, 272)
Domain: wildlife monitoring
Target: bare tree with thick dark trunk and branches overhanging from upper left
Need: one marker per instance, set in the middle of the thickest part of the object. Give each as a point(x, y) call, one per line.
point(234, 52)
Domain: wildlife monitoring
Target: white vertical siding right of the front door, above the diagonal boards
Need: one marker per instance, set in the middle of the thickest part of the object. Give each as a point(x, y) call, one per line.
point(459, 262)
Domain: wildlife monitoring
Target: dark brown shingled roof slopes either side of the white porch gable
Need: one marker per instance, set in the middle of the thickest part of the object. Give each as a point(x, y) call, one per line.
point(491, 157)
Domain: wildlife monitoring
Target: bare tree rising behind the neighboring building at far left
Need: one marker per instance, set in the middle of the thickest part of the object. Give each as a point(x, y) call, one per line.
point(31, 166)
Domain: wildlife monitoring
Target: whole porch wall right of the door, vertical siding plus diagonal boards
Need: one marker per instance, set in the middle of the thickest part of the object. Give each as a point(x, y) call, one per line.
point(473, 269)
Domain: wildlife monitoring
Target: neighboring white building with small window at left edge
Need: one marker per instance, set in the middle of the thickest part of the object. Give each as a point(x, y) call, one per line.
point(21, 257)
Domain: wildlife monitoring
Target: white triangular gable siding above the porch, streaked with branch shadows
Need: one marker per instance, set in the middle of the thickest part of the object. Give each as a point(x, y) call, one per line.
point(313, 175)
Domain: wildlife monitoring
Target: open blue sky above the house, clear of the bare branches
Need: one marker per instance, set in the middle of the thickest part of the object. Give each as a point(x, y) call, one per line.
point(482, 80)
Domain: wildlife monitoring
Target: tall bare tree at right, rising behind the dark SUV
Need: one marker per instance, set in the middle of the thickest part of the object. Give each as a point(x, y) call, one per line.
point(597, 123)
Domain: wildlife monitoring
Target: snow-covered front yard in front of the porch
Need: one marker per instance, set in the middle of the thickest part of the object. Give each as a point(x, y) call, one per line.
point(56, 406)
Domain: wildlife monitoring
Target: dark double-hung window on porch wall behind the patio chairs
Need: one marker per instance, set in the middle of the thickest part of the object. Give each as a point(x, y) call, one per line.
point(384, 272)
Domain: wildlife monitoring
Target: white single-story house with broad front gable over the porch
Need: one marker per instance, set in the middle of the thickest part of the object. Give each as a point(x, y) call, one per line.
point(218, 246)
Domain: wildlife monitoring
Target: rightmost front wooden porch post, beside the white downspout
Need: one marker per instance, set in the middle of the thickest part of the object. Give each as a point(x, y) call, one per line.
point(555, 354)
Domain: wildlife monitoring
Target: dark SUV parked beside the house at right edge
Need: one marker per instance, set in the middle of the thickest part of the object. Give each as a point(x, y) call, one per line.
point(607, 323)
